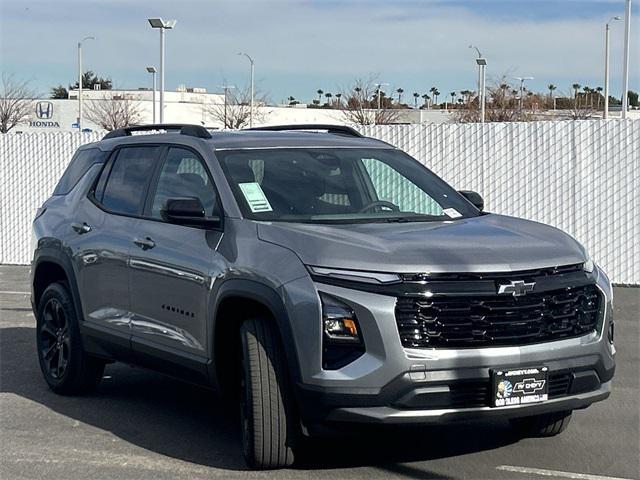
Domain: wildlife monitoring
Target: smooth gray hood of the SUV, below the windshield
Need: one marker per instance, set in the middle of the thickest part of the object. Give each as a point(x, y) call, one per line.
point(489, 243)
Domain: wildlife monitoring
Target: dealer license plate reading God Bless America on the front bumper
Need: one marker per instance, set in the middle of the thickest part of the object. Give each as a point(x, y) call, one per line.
point(522, 386)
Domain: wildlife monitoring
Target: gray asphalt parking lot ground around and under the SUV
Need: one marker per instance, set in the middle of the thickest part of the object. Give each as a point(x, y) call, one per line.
point(142, 425)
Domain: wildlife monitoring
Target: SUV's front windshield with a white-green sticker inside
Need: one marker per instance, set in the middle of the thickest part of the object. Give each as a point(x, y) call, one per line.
point(339, 185)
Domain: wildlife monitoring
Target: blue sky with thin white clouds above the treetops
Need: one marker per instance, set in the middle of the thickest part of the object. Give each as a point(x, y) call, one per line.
point(300, 46)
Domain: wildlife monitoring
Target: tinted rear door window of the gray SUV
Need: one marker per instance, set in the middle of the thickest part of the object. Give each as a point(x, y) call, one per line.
point(125, 187)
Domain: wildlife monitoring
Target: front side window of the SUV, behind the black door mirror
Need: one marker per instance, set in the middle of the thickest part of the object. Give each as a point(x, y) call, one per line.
point(183, 175)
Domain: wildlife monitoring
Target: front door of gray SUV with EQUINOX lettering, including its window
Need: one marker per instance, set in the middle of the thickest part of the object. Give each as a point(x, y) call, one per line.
point(171, 267)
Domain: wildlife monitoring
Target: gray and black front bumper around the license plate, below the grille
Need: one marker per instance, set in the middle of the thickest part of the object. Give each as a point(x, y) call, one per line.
point(392, 384)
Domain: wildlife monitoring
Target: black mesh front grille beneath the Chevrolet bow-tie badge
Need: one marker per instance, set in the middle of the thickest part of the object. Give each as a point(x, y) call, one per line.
point(497, 320)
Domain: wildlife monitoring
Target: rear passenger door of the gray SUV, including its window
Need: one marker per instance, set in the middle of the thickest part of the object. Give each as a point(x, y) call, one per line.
point(105, 232)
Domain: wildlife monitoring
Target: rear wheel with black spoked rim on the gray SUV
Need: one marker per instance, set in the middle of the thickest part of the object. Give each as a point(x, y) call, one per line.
point(67, 369)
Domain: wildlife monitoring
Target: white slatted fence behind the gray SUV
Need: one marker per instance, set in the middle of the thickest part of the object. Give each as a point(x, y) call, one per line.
point(582, 177)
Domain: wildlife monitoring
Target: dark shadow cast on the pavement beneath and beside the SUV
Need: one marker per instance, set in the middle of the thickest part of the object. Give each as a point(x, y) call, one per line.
point(190, 423)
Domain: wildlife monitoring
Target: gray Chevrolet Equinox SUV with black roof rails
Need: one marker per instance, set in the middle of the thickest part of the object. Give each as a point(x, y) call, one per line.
point(318, 279)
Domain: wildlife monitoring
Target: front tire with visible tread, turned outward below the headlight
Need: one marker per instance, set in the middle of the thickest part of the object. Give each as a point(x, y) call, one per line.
point(268, 422)
